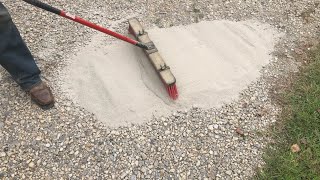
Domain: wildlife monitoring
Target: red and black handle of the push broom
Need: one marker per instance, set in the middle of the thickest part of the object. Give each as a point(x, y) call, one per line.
point(77, 19)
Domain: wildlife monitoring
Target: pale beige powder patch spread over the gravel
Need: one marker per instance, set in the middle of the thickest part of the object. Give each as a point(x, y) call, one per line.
point(212, 61)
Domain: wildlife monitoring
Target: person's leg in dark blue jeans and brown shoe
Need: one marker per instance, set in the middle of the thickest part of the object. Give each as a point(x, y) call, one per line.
point(16, 58)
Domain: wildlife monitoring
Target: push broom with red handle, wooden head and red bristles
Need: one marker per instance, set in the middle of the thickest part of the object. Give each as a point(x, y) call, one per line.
point(141, 40)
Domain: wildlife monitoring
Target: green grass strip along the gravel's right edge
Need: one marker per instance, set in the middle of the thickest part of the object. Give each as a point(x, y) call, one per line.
point(300, 125)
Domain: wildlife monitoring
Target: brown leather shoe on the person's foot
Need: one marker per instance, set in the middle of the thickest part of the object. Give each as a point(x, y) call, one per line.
point(41, 94)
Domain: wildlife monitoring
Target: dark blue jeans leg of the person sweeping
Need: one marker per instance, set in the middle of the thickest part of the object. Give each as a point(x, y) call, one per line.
point(15, 56)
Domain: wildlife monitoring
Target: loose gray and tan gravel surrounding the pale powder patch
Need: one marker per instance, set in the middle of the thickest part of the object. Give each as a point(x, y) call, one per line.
point(68, 142)
